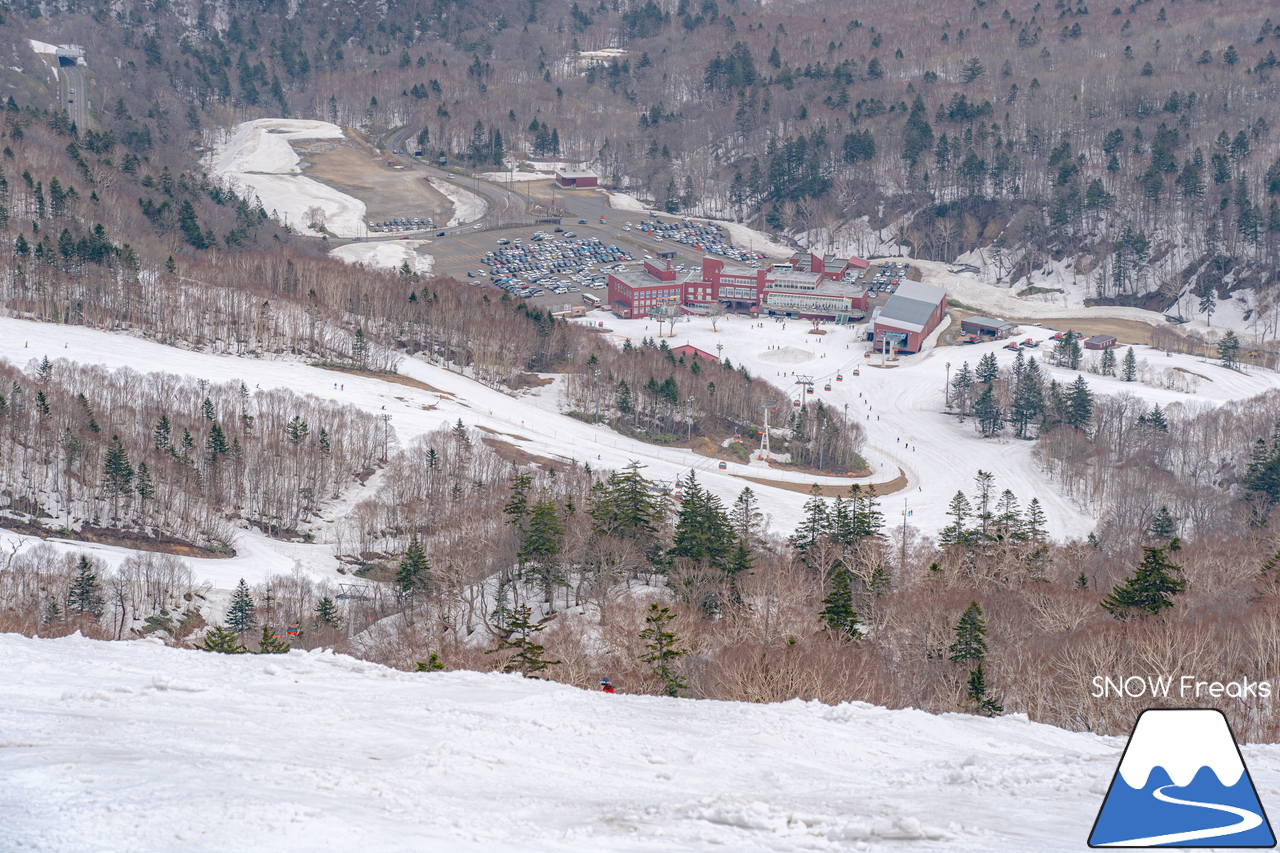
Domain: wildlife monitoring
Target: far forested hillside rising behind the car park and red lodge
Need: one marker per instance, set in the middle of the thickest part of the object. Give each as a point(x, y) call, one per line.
point(1136, 139)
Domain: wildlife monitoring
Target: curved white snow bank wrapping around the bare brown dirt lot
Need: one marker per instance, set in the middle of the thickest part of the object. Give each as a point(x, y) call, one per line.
point(259, 159)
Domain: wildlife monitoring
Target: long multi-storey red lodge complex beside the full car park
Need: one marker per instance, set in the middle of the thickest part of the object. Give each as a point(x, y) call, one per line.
point(810, 288)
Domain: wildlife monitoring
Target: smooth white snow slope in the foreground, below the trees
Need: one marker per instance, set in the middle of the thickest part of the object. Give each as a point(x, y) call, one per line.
point(127, 746)
